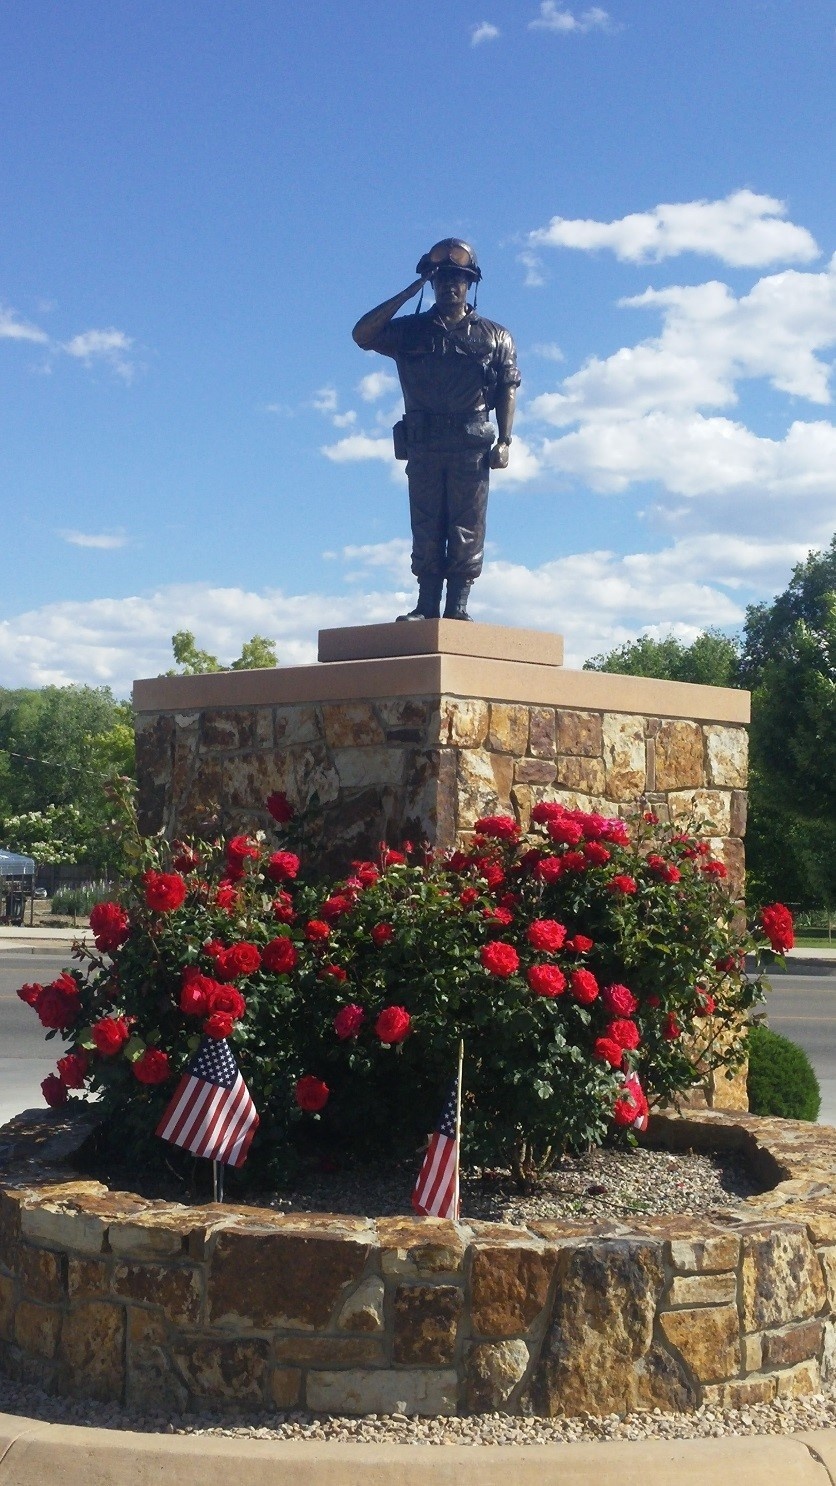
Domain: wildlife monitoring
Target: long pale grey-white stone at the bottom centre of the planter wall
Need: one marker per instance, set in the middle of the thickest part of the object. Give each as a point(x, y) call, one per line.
point(403, 1390)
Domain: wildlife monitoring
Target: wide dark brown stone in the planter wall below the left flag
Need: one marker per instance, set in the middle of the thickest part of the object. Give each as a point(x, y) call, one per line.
point(281, 1280)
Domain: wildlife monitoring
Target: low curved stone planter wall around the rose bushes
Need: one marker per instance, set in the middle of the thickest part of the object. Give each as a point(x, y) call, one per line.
point(112, 1297)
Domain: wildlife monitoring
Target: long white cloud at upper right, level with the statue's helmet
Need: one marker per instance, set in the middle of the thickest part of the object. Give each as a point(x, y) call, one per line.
point(743, 230)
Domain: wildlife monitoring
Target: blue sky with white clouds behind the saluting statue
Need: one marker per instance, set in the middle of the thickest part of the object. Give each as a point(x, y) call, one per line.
point(200, 200)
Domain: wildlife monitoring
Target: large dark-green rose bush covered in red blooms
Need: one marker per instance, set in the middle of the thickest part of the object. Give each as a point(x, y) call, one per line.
point(589, 968)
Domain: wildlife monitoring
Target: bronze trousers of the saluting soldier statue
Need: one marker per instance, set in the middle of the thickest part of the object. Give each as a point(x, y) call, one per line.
point(448, 510)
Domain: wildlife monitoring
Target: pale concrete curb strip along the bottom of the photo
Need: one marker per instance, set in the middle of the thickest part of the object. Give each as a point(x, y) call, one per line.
point(33, 1454)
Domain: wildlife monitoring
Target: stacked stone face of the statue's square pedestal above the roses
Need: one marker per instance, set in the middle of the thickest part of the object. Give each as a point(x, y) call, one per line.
point(427, 769)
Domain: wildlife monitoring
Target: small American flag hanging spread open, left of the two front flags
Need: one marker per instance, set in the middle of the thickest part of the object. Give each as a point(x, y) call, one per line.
point(212, 1112)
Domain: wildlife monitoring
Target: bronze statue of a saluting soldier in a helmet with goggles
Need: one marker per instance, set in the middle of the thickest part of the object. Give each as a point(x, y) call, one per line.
point(455, 369)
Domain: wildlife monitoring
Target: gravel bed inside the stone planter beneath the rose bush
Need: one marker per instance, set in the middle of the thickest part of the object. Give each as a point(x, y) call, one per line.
point(604, 1185)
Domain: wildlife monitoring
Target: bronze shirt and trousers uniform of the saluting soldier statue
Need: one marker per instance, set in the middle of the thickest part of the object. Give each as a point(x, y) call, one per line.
point(451, 381)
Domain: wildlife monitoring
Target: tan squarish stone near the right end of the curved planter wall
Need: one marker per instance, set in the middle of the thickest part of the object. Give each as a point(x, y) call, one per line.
point(782, 1279)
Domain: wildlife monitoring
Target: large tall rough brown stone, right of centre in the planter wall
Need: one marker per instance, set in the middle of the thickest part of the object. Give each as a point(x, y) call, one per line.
point(599, 1352)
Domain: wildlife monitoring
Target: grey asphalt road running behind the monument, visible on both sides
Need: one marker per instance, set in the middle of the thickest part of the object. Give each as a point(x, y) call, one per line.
point(803, 1007)
